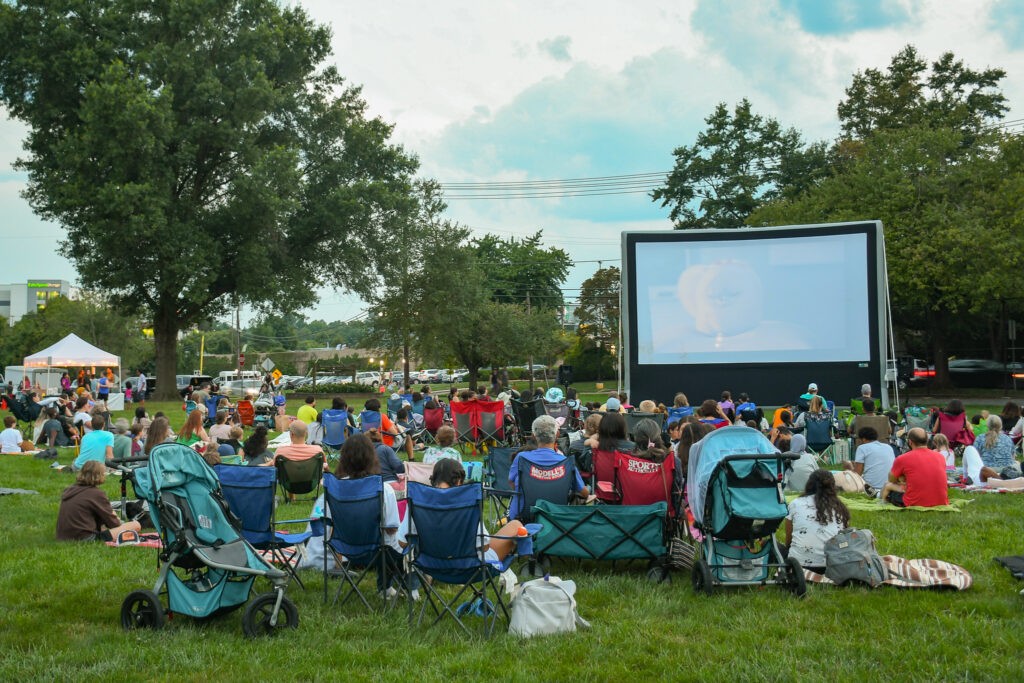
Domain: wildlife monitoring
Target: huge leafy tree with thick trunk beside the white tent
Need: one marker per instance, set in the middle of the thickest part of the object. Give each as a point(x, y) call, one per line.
point(198, 153)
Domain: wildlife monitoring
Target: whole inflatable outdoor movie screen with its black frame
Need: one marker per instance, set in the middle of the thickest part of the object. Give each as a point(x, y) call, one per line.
point(761, 311)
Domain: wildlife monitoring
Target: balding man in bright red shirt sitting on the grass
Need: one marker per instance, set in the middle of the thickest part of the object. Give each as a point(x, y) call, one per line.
point(919, 477)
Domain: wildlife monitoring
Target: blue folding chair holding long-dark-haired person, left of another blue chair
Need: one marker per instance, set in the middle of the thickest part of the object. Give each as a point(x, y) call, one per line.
point(356, 531)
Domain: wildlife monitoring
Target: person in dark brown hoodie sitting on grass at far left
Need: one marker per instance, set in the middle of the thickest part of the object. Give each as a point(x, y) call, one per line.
point(86, 513)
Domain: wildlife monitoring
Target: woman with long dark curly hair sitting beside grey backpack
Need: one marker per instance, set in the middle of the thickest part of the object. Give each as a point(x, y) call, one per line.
point(815, 519)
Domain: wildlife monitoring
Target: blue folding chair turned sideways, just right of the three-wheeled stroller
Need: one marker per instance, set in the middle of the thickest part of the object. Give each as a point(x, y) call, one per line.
point(249, 492)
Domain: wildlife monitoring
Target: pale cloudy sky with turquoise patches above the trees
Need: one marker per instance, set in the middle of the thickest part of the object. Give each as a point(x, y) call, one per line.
point(527, 92)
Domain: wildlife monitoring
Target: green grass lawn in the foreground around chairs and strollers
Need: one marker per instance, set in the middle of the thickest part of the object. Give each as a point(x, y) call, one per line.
point(60, 616)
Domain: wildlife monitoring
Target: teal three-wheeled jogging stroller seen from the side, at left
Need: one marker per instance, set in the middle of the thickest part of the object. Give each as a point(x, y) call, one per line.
point(206, 567)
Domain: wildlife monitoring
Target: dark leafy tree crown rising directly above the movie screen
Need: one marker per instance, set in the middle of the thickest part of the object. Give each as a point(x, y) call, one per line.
point(741, 161)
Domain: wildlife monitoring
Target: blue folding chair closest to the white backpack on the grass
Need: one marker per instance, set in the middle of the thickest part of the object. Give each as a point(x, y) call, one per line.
point(446, 539)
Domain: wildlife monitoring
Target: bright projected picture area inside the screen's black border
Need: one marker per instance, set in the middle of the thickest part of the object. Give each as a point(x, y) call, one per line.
point(767, 301)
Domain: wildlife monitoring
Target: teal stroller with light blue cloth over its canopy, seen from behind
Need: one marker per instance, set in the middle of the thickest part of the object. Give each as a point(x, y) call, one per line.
point(735, 489)
